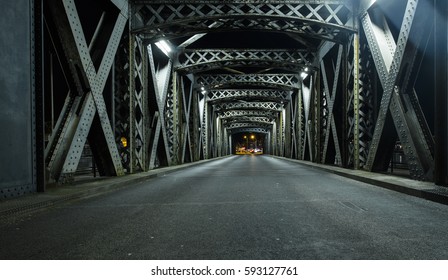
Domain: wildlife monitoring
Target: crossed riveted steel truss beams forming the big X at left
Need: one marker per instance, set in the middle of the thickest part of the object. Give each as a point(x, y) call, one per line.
point(65, 156)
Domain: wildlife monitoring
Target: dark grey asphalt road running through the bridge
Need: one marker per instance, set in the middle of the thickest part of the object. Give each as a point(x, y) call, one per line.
point(240, 207)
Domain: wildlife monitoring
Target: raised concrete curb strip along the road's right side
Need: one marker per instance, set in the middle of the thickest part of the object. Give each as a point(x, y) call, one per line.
point(425, 190)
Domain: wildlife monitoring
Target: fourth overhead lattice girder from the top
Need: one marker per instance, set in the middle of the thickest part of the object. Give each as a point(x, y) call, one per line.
point(233, 94)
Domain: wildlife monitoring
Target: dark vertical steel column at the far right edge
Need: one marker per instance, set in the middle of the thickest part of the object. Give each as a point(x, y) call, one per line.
point(441, 90)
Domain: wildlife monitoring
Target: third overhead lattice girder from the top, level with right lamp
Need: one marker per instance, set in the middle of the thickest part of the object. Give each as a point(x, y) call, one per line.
point(280, 81)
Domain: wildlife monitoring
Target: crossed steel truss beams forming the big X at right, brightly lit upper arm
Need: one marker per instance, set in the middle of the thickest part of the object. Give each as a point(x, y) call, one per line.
point(395, 64)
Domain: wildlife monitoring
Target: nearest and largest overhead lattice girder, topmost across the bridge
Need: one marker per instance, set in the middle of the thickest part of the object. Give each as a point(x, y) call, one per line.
point(168, 19)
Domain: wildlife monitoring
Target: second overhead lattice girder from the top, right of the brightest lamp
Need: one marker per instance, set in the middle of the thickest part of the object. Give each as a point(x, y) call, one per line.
point(200, 60)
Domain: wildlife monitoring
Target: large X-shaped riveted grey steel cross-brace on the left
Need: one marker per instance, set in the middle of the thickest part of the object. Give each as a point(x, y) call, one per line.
point(91, 83)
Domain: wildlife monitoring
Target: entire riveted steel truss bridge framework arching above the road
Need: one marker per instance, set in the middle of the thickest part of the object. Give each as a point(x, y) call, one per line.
point(151, 83)
